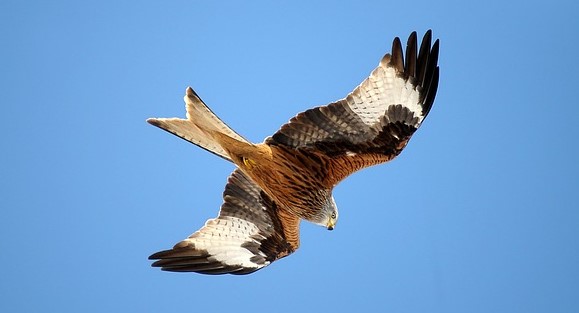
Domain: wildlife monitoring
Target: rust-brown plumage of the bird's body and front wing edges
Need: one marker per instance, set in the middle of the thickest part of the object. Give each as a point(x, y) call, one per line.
point(299, 181)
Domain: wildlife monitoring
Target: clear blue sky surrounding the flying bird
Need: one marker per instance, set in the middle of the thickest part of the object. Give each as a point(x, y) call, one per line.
point(478, 214)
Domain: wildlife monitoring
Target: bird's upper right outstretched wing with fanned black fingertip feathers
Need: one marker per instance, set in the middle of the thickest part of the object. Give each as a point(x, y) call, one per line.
point(375, 121)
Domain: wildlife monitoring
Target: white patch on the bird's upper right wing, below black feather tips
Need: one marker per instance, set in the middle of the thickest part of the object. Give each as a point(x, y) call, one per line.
point(380, 91)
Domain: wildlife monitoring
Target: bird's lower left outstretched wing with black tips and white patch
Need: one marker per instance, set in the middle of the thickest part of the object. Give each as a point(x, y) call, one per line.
point(249, 233)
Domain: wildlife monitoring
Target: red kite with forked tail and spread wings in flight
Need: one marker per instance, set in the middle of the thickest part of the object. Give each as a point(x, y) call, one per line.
point(290, 176)
